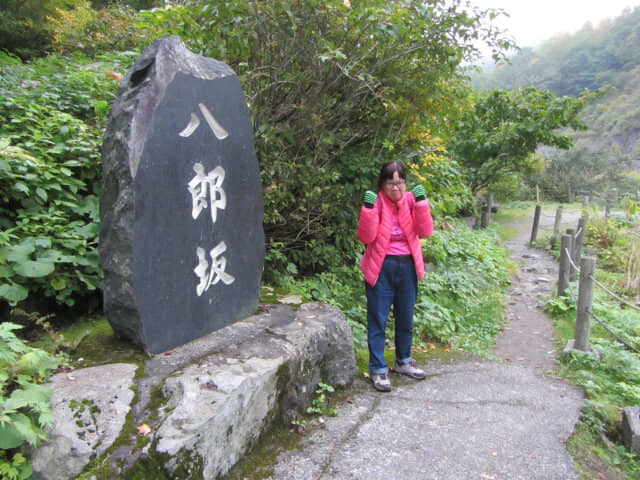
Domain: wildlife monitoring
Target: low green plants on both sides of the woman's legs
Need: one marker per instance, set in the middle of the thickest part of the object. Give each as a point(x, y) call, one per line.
point(460, 302)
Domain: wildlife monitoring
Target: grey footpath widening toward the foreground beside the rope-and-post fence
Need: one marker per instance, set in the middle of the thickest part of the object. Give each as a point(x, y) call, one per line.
point(503, 419)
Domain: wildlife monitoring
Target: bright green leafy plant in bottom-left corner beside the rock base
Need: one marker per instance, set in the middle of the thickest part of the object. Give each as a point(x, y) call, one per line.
point(25, 410)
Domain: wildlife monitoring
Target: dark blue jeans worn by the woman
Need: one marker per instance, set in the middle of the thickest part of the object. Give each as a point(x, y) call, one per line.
point(397, 285)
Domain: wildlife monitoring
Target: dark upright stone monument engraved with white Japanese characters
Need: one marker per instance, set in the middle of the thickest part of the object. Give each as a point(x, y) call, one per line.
point(182, 244)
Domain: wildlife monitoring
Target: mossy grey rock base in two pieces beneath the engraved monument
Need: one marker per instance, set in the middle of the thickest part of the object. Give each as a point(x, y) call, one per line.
point(219, 393)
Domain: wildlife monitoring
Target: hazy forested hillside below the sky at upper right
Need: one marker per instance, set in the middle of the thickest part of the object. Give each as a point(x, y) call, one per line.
point(602, 58)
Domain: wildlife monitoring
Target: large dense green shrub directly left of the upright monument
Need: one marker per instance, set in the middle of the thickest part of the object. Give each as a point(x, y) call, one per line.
point(50, 175)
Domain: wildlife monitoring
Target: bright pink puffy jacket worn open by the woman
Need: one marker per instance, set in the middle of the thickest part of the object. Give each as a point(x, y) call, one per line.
point(375, 226)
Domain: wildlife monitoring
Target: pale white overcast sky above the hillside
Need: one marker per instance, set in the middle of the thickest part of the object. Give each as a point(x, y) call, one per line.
point(531, 22)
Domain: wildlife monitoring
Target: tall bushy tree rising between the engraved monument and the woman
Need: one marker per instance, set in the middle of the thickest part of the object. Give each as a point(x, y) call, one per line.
point(334, 87)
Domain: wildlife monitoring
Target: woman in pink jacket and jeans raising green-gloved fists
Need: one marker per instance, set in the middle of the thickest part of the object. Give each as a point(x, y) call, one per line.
point(391, 224)
